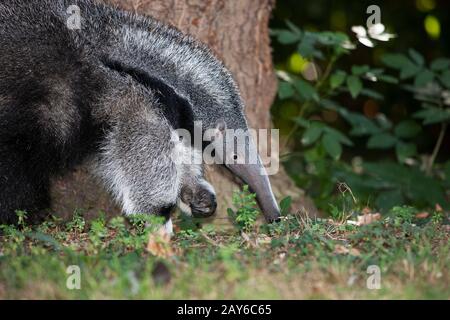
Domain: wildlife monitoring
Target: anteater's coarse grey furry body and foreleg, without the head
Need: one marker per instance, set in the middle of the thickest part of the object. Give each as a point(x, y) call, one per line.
point(111, 93)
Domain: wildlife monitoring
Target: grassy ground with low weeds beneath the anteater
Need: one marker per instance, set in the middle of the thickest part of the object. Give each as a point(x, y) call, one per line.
point(298, 258)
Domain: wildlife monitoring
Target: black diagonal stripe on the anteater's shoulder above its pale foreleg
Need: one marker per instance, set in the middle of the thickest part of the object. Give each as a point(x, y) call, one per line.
point(176, 109)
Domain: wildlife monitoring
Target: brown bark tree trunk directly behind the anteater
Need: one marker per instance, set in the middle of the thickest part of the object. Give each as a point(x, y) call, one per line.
point(238, 33)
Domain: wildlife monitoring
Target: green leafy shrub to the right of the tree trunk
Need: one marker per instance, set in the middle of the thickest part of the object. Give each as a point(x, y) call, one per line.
point(388, 167)
